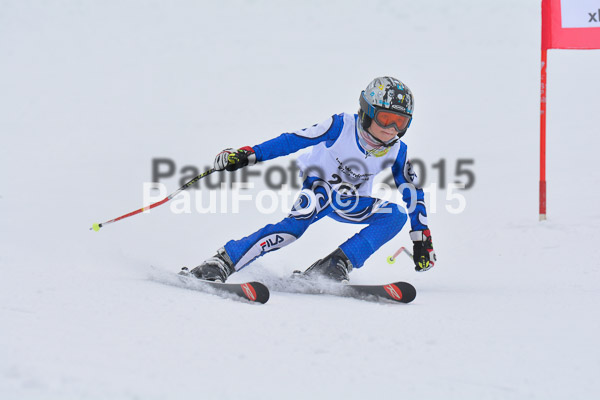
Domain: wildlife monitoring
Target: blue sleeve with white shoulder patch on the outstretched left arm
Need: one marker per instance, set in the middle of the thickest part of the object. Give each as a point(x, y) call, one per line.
point(287, 143)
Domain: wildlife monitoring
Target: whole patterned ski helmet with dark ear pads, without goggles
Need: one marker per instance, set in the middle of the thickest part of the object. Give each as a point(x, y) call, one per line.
point(385, 93)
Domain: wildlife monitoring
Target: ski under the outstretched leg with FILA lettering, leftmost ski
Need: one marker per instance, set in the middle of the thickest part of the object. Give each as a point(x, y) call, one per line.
point(255, 292)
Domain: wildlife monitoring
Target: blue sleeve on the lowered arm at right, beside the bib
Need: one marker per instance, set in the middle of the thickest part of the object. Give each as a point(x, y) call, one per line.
point(412, 195)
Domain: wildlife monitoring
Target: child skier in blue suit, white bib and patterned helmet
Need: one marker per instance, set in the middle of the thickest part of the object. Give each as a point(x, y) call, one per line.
point(348, 151)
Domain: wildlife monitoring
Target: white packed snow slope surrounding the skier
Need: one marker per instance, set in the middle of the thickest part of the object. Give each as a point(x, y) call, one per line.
point(91, 92)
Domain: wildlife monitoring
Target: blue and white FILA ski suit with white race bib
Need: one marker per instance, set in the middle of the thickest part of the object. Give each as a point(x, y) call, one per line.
point(338, 178)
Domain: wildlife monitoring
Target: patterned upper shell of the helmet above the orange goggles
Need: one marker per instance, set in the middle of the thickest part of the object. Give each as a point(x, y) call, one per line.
point(390, 93)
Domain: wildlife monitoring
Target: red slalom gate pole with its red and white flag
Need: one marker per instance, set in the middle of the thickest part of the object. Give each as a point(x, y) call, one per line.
point(566, 24)
